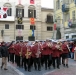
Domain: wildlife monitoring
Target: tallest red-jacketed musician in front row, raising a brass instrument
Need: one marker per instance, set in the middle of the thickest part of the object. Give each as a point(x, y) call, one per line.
point(46, 53)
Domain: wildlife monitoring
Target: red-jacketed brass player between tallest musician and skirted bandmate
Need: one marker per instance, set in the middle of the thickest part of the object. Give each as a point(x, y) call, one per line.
point(56, 54)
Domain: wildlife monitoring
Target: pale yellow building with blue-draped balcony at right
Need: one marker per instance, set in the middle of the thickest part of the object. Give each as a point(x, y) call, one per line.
point(65, 18)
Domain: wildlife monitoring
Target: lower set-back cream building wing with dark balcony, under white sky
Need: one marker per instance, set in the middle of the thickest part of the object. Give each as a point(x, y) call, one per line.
point(47, 23)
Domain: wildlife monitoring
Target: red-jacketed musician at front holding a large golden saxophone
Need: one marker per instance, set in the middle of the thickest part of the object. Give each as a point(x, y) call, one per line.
point(27, 56)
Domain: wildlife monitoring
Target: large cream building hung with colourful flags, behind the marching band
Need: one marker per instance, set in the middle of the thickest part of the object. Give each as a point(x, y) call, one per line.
point(25, 21)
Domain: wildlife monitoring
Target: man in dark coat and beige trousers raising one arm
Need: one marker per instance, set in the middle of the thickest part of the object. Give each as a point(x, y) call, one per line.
point(5, 53)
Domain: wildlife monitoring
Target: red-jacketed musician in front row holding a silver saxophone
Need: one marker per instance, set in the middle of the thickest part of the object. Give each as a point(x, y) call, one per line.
point(36, 55)
